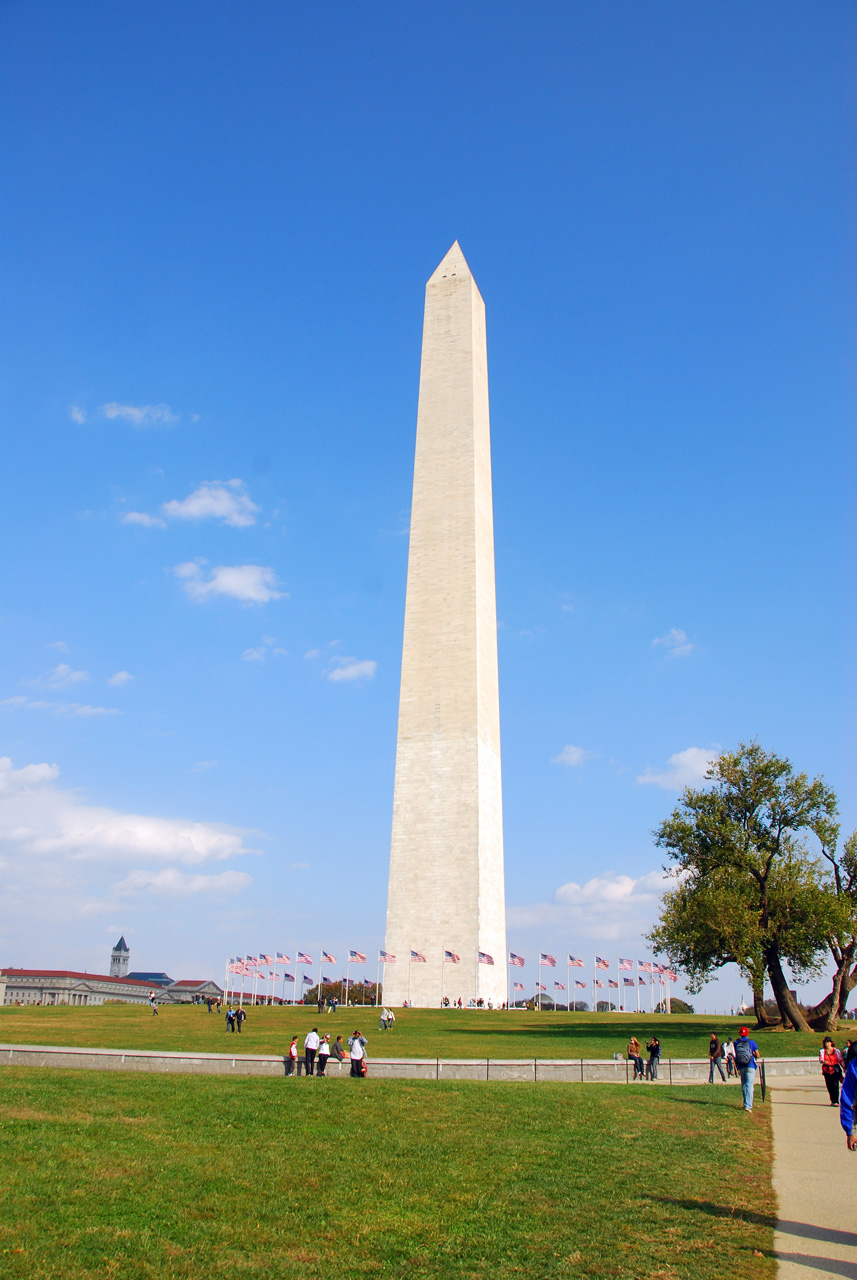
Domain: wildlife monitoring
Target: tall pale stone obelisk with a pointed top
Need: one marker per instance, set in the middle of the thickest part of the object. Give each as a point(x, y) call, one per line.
point(447, 885)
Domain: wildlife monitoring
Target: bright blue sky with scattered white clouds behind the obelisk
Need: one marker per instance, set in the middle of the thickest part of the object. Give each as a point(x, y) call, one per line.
point(218, 226)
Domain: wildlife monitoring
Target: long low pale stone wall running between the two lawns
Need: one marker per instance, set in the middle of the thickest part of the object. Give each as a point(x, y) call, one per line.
point(523, 1071)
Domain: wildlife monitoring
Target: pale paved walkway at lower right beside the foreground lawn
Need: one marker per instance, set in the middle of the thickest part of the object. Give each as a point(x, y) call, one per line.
point(815, 1180)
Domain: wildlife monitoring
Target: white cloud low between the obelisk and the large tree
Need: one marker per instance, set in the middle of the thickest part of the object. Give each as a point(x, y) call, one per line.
point(606, 908)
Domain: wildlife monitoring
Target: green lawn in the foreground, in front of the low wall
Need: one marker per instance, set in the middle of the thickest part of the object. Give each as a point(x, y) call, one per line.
point(140, 1177)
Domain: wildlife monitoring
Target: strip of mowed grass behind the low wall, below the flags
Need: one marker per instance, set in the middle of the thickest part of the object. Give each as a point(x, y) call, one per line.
point(418, 1032)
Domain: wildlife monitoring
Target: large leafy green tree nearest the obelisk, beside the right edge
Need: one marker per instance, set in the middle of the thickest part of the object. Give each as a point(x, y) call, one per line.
point(751, 890)
